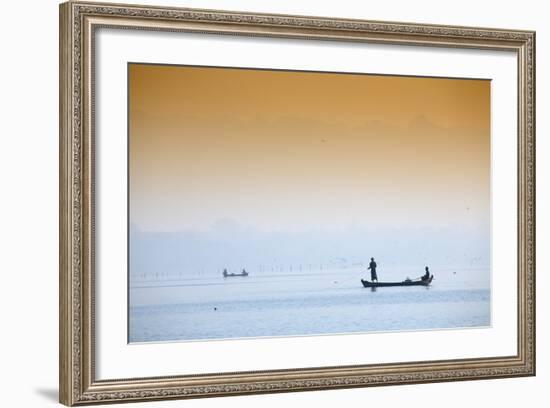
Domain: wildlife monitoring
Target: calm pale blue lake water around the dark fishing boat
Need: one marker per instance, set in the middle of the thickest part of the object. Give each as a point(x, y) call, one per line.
point(305, 303)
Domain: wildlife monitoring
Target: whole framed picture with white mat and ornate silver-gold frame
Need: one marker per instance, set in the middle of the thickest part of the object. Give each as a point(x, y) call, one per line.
point(256, 203)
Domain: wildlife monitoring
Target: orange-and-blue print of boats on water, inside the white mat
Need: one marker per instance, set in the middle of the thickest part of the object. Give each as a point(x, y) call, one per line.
point(270, 203)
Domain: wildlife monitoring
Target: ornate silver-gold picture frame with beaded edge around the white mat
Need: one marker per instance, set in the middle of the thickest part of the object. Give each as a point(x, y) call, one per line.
point(79, 24)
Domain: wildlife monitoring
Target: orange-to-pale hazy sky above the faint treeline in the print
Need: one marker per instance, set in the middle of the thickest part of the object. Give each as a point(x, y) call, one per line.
point(297, 151)
